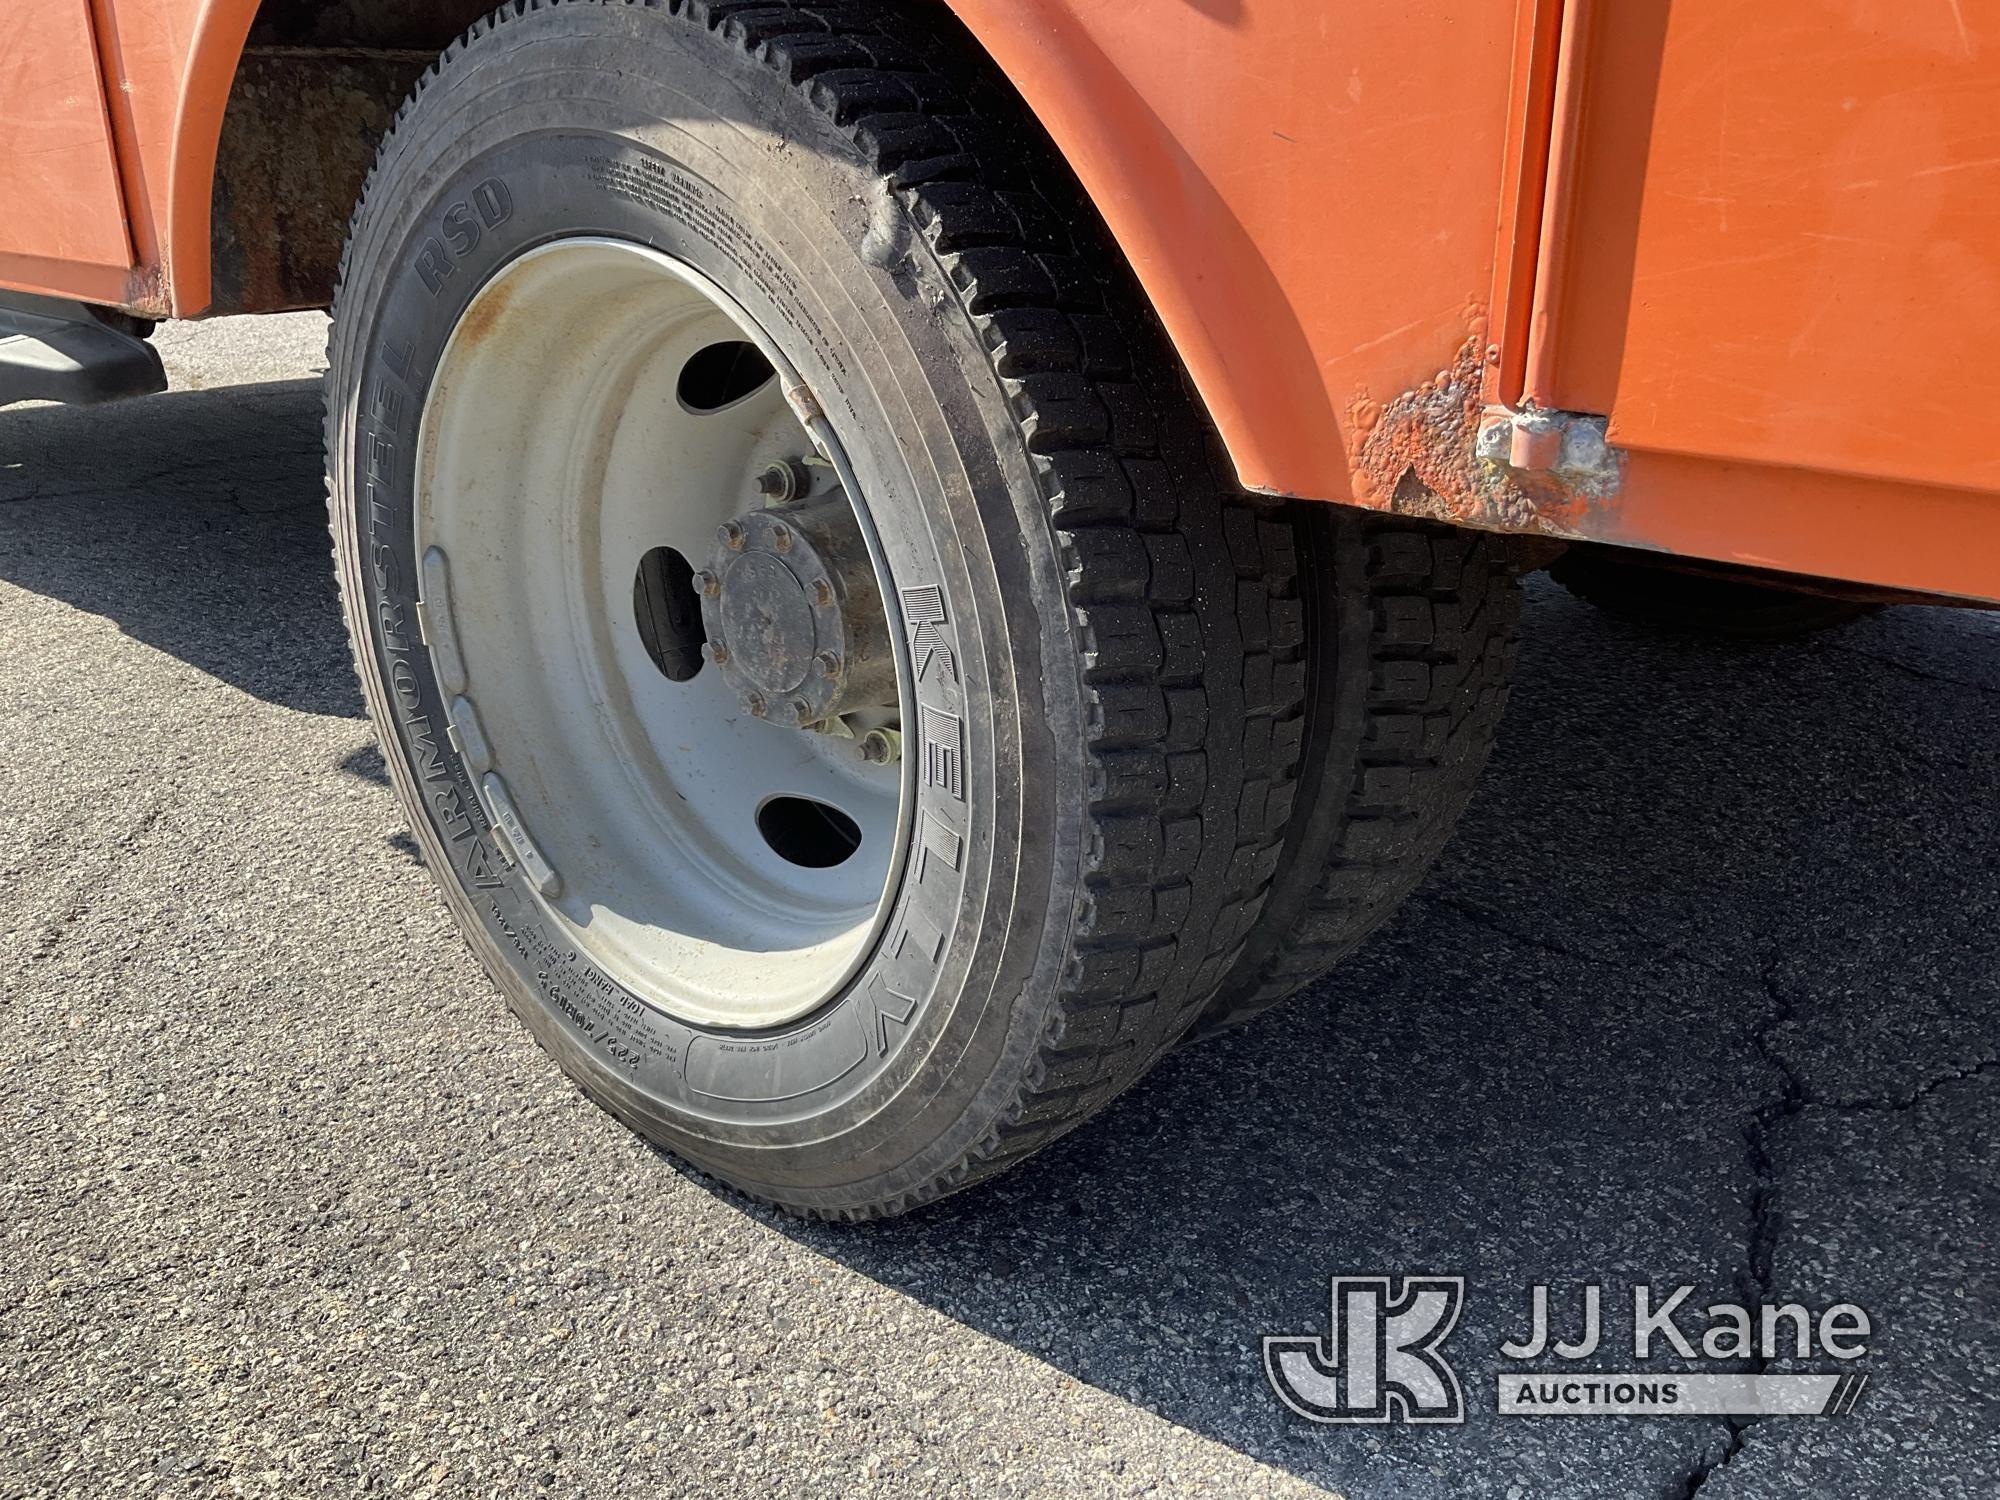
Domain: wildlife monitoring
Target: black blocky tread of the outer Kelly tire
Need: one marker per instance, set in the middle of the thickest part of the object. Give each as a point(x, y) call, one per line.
point(1177, 865)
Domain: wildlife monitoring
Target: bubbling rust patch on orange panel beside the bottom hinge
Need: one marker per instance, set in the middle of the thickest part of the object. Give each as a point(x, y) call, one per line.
point(1419, 457)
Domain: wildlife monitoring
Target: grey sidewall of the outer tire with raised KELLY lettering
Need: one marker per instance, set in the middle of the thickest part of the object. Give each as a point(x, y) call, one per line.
point(925, 1047)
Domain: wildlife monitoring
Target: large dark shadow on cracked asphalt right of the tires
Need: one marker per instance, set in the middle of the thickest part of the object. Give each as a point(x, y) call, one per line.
point(1713, 911)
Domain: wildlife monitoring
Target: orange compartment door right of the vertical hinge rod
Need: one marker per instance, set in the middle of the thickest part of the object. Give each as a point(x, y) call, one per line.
point(1785, 237)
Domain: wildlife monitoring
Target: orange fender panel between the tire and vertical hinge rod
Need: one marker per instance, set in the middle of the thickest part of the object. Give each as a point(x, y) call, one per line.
point(1305, 189)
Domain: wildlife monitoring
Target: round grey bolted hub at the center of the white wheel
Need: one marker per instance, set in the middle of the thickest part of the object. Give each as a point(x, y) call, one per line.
point(793, 615)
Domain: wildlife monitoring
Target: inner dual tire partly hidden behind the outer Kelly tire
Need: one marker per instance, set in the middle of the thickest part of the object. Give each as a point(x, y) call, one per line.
point(1411, 651)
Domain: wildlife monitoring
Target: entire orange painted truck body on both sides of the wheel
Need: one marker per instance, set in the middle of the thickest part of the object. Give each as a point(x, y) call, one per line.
point(1765, 241)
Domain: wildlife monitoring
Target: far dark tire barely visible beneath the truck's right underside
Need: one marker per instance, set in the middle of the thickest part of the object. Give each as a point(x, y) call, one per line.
point(1679, 601)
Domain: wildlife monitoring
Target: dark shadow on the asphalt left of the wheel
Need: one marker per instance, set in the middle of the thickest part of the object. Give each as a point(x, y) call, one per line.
point(195, 523)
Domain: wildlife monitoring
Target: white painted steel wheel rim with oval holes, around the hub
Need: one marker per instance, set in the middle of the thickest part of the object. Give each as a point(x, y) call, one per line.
point(699, 855)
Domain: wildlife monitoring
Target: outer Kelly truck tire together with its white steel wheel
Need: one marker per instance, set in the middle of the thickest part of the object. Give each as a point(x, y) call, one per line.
point(709, 371)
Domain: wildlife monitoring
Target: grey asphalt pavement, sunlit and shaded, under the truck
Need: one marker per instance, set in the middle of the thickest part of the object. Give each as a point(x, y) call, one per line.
point(1703, 993)
